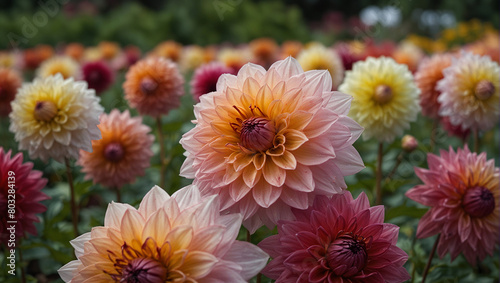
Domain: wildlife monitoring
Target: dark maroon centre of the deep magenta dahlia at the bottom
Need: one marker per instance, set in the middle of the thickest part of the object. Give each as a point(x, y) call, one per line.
point(346, 256)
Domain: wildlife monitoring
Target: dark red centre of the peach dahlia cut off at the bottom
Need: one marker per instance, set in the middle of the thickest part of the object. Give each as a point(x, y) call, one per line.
point(144, 270)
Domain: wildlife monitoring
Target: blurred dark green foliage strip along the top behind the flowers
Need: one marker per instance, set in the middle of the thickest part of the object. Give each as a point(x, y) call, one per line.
point(147, 23)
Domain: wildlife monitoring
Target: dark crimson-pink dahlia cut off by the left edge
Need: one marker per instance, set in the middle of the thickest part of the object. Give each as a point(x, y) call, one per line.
point(26, 186)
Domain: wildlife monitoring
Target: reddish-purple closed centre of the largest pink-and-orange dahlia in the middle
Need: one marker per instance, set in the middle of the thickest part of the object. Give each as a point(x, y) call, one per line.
point(257, 134)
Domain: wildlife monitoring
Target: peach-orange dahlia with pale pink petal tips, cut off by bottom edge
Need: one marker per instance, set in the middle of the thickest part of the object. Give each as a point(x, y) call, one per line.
point(182, 238)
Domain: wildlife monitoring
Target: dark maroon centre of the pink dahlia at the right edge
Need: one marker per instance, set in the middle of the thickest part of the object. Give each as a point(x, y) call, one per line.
point(478, 202)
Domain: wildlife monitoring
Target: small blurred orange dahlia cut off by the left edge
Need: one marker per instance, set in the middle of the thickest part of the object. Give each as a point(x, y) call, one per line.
point(10, 81)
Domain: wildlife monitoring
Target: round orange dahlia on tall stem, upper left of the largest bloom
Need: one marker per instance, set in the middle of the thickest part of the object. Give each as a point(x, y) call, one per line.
point(154, 86)
